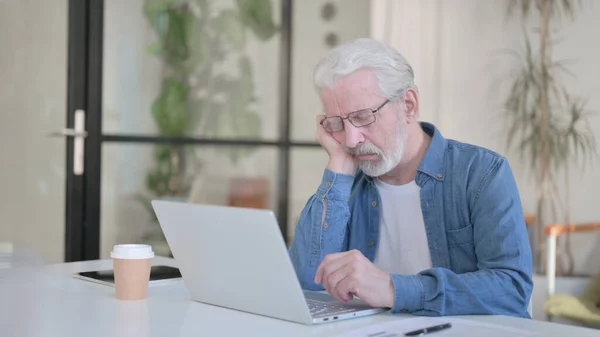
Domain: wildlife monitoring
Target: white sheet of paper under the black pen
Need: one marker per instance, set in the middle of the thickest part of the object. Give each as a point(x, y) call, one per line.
point(460, 327)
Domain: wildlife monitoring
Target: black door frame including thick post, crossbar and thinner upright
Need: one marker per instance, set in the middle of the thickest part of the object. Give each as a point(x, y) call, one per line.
point(86, 24)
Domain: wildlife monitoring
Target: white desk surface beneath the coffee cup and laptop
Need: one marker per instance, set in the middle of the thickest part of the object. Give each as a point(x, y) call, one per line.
point(47, 301)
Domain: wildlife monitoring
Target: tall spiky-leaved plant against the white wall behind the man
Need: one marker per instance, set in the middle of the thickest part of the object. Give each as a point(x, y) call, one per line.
point(547, 124)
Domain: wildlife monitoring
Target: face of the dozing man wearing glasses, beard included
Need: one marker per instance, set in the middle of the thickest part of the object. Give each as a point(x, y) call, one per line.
point(378, 147)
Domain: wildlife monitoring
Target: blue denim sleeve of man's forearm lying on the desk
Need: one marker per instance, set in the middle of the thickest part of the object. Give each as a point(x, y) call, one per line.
point(440, 291)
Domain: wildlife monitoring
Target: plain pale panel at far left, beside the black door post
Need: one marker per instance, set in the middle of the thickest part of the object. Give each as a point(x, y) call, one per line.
point(33, 68)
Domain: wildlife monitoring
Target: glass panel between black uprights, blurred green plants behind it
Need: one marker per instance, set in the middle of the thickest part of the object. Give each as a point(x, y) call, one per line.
point(194, 101)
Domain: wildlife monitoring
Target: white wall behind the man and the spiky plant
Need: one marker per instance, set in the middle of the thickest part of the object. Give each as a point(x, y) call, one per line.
point(467, 90)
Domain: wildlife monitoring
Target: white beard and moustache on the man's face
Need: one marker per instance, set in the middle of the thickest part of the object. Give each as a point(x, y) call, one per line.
point(376, 168)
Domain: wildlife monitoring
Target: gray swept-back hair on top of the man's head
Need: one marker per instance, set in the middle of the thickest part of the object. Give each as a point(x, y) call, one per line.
point(394, 74)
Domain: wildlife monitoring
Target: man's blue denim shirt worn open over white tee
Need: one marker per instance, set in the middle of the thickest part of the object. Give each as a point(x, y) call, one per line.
point(475, 229)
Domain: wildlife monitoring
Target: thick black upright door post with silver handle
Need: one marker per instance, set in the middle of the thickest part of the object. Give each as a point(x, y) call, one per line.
point(84, 92)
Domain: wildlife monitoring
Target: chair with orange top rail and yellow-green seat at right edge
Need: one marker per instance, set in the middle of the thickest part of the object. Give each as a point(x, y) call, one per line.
point(585, 308)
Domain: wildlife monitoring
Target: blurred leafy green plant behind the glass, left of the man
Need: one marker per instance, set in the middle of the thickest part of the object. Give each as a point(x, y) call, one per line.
point(193, 39)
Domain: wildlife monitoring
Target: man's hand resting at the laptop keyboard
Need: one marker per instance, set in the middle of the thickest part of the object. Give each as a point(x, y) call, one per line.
point(348, 274)
